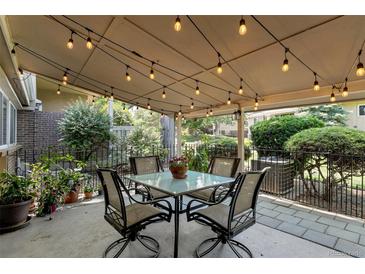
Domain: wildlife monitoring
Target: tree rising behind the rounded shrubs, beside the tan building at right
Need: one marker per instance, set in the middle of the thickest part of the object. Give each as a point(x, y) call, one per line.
point(331, 115)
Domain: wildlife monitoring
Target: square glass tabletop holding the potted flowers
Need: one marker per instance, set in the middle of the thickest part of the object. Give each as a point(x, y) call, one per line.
point(163, 181)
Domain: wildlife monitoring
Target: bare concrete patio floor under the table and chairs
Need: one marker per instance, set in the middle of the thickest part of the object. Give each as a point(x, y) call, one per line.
point(81, 231)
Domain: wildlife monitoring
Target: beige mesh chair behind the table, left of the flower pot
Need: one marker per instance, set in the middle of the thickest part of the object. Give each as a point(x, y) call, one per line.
point(144, 165)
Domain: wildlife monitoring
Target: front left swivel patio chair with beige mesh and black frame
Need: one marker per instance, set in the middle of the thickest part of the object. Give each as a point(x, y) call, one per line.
point(130, 219)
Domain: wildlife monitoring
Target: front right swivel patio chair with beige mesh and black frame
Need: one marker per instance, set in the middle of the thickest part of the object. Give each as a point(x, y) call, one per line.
point(227, 221)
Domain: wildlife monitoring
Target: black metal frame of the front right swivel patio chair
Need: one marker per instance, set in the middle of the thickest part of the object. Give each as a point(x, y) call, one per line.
point(243, 220)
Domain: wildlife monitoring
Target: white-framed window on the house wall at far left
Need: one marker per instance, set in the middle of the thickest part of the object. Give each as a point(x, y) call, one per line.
point(7, 122)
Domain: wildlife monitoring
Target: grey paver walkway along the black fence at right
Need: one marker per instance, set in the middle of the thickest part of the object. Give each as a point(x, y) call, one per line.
point(342, 233)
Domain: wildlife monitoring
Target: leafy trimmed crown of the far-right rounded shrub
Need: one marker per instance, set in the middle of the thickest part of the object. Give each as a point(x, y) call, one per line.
point(338, 140)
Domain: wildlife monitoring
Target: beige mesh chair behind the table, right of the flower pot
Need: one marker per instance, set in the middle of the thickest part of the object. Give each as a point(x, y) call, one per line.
point(222, 166)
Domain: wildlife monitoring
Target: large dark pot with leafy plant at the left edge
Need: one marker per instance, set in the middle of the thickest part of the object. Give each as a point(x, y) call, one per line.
point(16, 194)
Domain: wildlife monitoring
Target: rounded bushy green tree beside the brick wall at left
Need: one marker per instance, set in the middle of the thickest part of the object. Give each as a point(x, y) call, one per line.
point(84, 126)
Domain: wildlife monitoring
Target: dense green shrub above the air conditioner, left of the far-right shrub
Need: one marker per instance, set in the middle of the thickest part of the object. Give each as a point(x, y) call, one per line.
point(273, 133)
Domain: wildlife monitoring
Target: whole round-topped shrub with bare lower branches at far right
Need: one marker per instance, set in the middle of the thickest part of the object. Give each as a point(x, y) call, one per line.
point(334, 153)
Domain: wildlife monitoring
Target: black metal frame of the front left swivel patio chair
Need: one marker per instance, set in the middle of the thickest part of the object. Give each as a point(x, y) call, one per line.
point(118, 219)
